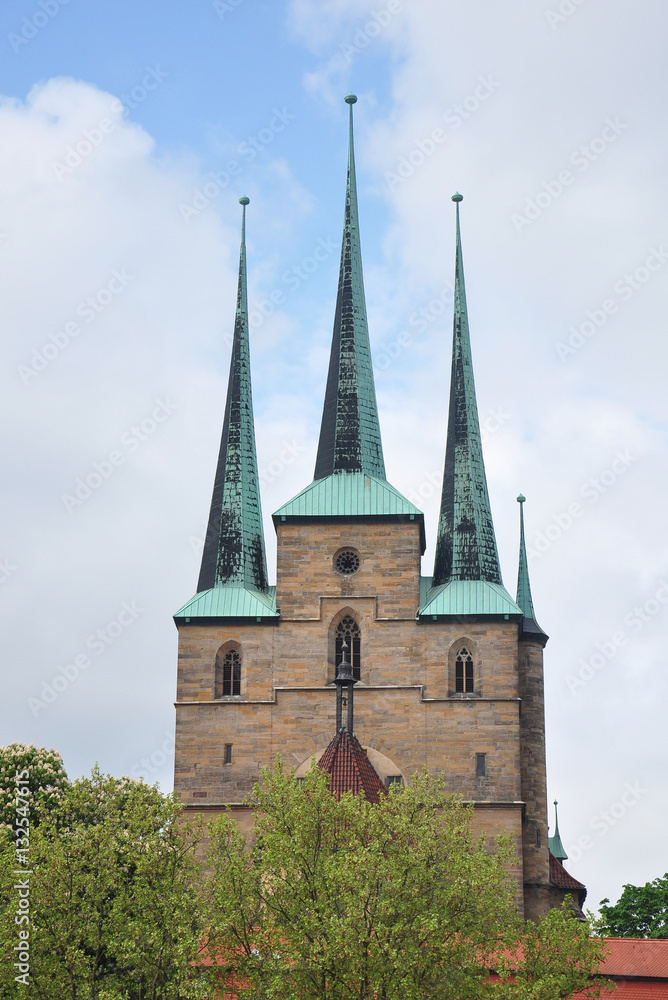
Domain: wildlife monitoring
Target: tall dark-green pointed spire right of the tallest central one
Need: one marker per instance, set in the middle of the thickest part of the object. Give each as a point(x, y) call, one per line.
point(466, 546)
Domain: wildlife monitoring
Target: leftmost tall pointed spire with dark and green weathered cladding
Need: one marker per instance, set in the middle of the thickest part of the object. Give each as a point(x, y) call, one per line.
point(234, 545)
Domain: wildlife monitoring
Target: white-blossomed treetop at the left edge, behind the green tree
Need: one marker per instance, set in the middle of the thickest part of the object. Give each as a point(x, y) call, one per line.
point(44, 771)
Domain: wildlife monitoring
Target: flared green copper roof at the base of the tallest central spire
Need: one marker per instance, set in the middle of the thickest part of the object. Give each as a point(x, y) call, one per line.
point(350, 494)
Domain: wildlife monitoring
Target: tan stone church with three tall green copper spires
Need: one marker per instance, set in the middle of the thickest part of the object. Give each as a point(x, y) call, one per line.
point(447, 670)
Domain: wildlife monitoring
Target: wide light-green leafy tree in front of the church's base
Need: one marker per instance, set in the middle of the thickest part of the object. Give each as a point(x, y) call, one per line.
point(349, 900)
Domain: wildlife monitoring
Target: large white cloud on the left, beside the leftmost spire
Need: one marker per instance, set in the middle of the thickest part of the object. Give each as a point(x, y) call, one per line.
point(112, 309)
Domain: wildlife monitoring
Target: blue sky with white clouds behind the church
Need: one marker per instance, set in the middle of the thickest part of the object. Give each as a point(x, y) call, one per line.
point(127, 134)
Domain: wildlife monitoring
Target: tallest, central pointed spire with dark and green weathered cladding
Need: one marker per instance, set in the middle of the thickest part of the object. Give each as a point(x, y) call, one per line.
point(350, 432)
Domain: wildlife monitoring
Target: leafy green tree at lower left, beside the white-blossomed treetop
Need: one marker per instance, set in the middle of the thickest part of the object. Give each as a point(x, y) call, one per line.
point(113, 888)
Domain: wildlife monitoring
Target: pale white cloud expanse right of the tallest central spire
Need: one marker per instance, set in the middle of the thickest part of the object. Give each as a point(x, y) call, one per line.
point(581, 96)
